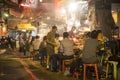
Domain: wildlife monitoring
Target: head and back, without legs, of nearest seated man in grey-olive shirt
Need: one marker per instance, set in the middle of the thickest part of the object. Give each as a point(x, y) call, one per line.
point(90, 49)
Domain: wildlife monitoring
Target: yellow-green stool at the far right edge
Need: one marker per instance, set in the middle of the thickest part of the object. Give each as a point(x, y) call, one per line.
point(115, 63)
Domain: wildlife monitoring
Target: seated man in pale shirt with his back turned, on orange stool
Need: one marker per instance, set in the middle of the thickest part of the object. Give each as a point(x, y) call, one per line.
point(66, 48)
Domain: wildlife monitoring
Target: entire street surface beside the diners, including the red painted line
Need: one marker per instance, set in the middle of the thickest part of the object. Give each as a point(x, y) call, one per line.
point(14, 68)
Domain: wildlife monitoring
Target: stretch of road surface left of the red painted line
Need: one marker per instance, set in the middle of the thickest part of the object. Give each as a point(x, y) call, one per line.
point(11, 69)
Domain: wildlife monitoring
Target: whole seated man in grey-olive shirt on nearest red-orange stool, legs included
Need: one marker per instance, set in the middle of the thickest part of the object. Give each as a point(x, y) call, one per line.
point(89, 53)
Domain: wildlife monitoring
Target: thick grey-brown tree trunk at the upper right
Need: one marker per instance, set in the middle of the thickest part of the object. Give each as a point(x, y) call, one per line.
point(104, 17)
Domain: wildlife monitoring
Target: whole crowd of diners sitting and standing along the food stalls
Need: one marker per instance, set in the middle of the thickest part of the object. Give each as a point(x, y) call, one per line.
point(51, 51)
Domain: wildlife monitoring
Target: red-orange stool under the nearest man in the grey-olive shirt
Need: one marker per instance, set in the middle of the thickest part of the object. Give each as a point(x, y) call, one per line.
point(90, 65)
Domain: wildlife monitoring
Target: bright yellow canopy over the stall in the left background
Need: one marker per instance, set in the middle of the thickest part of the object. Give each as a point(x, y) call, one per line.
point(25, 26)
